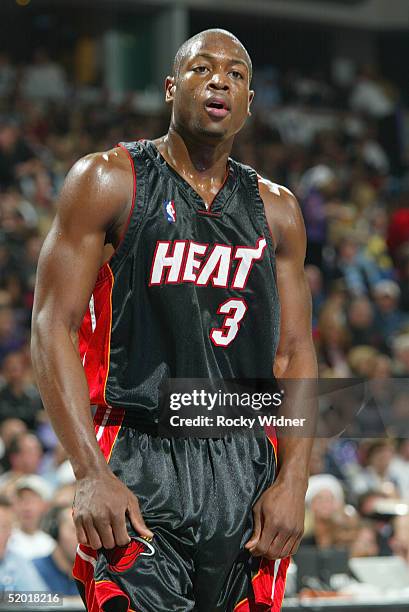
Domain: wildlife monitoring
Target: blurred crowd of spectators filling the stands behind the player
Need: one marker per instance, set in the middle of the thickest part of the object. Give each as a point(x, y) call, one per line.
point(340, 143)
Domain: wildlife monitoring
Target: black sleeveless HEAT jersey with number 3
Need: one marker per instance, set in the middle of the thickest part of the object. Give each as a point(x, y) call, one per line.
point(190, 292)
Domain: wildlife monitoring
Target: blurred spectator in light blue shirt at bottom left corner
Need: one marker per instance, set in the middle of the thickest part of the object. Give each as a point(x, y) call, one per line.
point(16, 572)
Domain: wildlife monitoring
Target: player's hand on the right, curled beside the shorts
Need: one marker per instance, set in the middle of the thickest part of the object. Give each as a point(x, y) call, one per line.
point(278, 522)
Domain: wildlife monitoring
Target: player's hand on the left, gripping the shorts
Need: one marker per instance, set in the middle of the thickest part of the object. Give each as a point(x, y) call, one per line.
point(102, 503)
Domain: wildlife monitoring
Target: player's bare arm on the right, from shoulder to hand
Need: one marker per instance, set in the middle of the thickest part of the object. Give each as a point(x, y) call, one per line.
point(279, 513)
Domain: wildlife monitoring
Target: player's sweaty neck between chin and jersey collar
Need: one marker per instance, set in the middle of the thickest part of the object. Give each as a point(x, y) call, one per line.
point(200, 162)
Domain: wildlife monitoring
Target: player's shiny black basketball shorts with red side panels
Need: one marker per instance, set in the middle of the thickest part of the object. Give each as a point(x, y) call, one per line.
point(196, 495)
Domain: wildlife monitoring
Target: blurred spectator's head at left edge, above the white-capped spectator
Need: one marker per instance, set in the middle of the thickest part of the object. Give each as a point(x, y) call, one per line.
point(24, 457)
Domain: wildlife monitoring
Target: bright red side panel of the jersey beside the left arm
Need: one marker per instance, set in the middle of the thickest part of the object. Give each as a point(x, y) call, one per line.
point(95, 345)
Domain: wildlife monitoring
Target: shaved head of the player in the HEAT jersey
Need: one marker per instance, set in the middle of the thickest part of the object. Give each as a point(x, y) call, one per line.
point(210, 86)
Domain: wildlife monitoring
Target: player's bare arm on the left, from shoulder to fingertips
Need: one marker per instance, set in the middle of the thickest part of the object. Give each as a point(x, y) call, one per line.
point(95, 198)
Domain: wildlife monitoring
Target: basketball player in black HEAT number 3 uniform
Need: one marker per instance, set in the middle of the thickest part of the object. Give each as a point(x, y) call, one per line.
point(168, 259)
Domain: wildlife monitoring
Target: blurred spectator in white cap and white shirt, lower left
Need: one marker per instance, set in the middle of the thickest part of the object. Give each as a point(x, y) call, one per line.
point(32, 496)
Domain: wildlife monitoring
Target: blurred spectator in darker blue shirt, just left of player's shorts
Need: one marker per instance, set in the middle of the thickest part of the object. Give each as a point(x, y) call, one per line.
point(56, 568)
